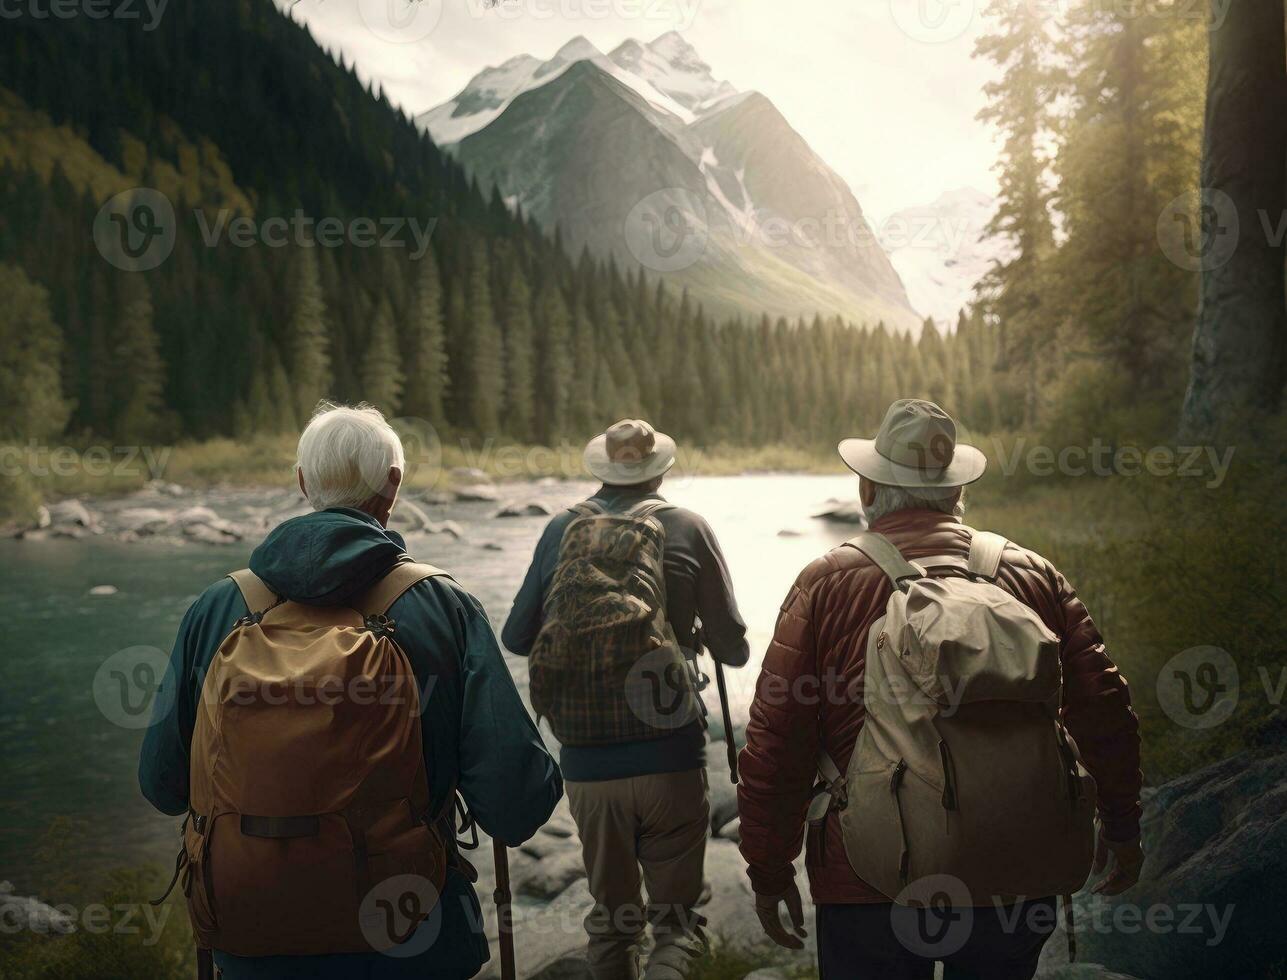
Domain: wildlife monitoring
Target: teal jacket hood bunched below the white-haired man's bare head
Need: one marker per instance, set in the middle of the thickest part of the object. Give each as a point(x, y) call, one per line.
point(326, 558)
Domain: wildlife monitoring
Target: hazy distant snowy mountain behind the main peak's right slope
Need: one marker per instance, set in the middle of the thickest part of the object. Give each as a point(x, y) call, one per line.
point(940, 250)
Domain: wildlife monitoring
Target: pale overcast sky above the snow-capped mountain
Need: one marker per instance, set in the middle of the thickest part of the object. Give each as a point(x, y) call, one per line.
point(885, 91)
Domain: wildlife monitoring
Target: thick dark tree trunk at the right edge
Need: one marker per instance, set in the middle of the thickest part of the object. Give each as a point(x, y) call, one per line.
point(1240, 348)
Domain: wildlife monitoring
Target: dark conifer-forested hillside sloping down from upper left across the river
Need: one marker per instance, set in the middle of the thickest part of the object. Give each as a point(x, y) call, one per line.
point(494, 332)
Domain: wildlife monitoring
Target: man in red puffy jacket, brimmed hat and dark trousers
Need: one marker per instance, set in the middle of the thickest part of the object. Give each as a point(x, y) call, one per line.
point(912, 480)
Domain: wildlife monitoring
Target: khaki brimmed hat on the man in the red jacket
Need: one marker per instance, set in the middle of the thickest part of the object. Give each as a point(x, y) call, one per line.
point(916, 449)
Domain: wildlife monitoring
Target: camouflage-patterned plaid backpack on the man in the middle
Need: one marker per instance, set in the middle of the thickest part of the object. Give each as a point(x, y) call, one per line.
point(606, 666)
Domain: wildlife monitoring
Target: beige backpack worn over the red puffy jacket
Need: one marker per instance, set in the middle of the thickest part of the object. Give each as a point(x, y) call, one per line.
point(962, 768)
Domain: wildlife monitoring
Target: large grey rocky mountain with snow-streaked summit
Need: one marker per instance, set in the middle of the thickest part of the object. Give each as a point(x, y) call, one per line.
point(615, 150)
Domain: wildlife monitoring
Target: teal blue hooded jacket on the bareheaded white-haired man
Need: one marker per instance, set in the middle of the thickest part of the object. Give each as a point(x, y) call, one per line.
point(478, 733)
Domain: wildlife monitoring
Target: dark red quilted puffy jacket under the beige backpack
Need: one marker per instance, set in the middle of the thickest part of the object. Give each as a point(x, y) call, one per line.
point(809, 695)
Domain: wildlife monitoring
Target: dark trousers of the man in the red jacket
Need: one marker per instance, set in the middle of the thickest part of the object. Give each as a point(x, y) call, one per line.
point(887, 942)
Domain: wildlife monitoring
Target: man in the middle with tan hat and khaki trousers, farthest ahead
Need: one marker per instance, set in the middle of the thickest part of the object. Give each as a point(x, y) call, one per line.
point(640, 804)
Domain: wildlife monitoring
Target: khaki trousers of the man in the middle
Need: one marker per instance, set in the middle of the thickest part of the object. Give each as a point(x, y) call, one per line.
point(651, 831)
